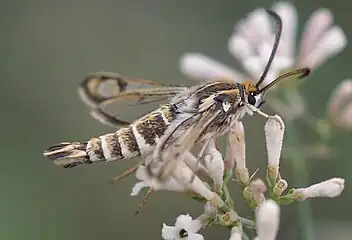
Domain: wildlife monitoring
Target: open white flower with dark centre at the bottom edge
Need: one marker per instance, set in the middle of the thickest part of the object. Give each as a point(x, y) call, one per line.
point(185, 228)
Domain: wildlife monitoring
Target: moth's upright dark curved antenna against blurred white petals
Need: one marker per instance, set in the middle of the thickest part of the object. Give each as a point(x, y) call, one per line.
point(278, 30)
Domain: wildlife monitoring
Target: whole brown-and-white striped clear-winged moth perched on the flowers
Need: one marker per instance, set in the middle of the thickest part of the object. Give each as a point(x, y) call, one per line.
point(194, 114)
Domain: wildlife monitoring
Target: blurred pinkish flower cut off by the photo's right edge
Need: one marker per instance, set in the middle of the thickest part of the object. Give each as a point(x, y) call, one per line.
point(340, 105)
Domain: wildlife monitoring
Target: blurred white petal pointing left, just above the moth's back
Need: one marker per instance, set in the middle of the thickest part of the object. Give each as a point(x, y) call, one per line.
point(200, 67)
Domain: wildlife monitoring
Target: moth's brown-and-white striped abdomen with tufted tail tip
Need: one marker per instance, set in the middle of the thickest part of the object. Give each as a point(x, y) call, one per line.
point(137, 139)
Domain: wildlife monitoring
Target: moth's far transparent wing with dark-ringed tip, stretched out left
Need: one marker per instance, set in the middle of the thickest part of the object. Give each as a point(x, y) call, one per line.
point(113, 97)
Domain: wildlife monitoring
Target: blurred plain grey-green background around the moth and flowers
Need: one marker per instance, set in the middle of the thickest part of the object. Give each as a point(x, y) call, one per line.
point(47, 47)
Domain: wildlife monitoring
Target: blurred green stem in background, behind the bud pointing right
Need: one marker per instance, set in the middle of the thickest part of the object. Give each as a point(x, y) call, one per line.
point(300, 173)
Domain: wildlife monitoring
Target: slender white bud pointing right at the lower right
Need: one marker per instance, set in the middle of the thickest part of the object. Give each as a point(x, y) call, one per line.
point(329, 188)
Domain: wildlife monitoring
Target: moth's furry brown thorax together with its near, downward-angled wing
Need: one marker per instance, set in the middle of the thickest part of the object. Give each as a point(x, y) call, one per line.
point(210, 109)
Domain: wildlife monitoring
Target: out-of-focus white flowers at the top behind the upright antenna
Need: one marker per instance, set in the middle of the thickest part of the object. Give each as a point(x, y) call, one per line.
point(252, 41)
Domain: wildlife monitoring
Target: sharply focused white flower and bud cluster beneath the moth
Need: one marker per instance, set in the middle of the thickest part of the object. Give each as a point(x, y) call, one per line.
point(222, 211)
